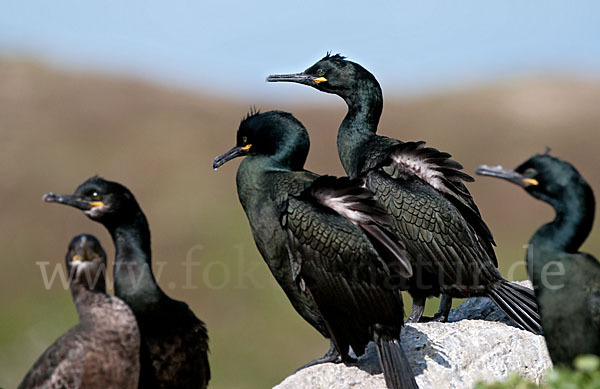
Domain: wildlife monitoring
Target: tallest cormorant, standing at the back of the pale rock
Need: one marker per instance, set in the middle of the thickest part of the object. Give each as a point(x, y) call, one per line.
point(450, 246)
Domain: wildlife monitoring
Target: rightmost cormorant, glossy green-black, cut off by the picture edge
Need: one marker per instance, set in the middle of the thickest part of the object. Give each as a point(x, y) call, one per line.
point(566, 281)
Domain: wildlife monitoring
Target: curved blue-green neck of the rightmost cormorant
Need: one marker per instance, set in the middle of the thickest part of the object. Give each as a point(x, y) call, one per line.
point(573, 221)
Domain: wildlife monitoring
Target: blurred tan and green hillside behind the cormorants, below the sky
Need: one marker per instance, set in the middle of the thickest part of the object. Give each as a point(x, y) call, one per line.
point(59, 126)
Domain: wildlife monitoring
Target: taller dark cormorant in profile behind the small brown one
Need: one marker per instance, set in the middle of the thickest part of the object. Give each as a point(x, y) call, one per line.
point(174, 341)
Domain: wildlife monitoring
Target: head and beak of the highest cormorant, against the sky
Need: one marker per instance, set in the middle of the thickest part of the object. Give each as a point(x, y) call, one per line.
point(332, 74)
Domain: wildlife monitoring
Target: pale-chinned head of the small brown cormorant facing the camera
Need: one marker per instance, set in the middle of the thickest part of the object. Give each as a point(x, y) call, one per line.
point(86, 261)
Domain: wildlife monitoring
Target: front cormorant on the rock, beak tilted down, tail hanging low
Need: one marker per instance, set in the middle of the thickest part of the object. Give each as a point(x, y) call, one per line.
point(330, 235)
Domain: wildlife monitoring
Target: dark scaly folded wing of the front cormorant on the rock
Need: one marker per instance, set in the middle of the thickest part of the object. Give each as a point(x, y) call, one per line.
point(341, 269)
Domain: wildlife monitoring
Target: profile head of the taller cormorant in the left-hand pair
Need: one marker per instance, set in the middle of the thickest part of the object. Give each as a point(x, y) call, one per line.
point(104, 201)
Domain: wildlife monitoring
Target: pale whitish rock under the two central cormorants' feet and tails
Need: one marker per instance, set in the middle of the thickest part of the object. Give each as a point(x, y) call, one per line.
point(479, 343)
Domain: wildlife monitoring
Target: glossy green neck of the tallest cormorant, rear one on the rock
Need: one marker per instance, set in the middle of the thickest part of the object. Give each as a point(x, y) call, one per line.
point(365, 105)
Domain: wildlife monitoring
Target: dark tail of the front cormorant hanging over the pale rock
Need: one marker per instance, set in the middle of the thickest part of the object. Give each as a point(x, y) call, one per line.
point(395, 366)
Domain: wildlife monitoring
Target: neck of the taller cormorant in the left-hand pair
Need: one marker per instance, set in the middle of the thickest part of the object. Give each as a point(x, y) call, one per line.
point(134, 280)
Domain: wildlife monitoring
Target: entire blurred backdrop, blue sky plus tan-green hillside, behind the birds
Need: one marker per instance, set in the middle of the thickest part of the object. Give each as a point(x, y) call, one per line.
point(147, 93)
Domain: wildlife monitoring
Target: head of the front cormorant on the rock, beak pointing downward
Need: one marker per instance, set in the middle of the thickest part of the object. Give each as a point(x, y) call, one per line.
point(275, 134)
